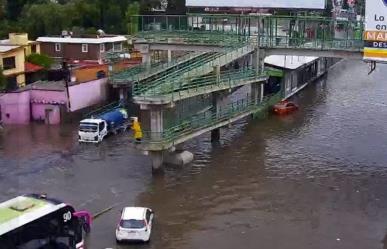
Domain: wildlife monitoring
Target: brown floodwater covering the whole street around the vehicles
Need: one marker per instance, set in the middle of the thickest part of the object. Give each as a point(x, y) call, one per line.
point(315, 179)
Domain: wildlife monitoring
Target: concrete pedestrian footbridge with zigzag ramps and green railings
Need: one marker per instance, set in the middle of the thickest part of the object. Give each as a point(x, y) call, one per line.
point(212, 43)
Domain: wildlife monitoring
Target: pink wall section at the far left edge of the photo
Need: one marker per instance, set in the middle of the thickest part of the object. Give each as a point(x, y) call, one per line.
point(15, 108)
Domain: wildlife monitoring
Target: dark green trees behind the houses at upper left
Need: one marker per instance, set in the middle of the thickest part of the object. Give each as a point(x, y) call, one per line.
point(46, 17)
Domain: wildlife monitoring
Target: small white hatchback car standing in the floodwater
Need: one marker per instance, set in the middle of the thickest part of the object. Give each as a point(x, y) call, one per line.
point(135, 224)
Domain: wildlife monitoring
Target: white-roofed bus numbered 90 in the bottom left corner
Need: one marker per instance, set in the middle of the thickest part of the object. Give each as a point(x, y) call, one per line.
point(37, 222)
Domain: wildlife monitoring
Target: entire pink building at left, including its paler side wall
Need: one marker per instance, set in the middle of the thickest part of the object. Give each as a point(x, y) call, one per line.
point(48, 101)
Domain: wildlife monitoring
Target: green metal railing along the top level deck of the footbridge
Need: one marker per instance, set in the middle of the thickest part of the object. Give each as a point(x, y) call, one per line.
point(311, 32)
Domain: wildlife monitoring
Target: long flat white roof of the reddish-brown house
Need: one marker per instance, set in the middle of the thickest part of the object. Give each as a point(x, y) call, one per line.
point(82, 40)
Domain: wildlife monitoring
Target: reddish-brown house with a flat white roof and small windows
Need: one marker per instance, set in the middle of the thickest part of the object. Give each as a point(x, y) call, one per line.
point(81, 49)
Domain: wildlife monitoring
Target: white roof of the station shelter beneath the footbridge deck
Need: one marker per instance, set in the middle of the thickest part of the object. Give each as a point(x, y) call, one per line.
point(288, 61)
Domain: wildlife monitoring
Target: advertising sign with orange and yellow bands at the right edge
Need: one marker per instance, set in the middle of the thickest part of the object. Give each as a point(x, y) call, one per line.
point(375, 34)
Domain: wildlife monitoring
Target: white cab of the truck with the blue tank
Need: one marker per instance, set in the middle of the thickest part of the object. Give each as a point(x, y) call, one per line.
point(92, 130)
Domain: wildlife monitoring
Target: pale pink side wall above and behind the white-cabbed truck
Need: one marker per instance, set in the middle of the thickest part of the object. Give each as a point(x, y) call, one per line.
point(88, 94)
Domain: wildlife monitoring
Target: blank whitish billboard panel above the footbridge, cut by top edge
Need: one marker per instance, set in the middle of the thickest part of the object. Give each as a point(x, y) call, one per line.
point(288, 4)
